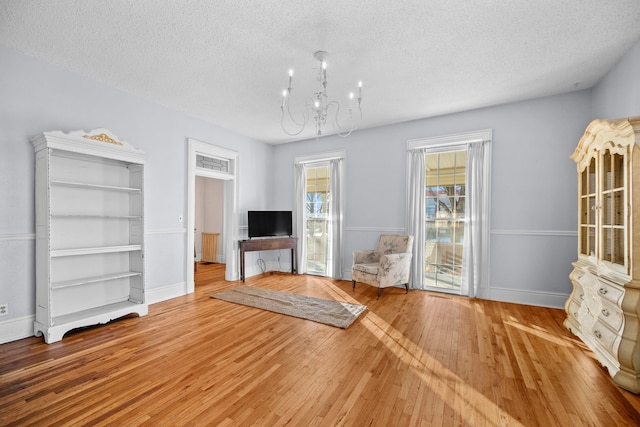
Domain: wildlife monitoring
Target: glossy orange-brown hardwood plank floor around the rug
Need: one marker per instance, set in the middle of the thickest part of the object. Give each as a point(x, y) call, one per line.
point(411, 359)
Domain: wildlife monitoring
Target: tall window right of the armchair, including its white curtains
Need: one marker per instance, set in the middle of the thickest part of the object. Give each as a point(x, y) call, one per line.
point(448, 211)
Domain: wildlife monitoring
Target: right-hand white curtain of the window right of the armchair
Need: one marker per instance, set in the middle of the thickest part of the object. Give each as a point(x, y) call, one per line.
point(476, 226)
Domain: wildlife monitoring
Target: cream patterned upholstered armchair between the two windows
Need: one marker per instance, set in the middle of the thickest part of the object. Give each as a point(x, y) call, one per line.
point(388, 265)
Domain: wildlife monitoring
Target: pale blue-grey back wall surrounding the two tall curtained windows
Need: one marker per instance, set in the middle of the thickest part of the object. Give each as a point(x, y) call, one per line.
point(533, 188)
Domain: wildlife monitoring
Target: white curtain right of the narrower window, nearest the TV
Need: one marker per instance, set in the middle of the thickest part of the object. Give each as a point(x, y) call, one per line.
point(334, 257)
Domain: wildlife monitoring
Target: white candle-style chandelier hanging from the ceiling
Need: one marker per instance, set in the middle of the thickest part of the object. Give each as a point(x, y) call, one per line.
point(319, 106)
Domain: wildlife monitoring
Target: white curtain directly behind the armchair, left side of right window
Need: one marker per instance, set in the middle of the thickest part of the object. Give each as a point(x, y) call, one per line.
point(415, 215)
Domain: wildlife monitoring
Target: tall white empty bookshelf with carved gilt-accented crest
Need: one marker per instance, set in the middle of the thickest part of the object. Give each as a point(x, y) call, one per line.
point(89, 231)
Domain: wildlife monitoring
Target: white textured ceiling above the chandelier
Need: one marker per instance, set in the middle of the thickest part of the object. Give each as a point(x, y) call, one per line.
point(226, 61)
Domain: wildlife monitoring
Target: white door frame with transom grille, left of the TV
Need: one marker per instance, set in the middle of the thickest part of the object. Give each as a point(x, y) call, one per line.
point(230, 215)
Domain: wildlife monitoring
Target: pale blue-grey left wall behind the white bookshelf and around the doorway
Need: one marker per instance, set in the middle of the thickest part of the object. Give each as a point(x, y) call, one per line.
point(37, 97)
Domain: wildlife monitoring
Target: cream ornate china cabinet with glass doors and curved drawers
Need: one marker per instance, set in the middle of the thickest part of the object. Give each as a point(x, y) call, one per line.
point(604, 305)
